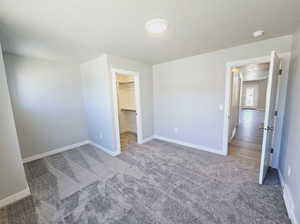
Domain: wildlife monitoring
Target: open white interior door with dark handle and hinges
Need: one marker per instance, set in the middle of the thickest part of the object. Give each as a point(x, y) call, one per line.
point(269, 115)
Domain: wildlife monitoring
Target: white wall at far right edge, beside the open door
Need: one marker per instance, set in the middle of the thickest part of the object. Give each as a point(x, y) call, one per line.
point(290, 153)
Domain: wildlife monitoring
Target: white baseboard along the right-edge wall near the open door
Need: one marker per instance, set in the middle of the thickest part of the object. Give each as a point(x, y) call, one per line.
point(288, 199)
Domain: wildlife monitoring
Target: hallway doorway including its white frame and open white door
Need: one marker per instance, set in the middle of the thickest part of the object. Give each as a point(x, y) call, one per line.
point(250, 124)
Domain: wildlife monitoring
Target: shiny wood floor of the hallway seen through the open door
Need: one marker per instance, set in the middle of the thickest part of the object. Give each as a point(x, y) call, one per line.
point(248, 138)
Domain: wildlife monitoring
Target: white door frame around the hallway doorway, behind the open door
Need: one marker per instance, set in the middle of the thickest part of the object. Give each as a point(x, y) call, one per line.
point(228, 86)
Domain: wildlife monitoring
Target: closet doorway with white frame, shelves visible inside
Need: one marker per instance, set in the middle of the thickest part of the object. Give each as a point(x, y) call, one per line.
point(126, 94)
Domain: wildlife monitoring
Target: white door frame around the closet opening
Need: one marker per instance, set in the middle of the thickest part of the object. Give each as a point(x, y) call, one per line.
point(137, 94)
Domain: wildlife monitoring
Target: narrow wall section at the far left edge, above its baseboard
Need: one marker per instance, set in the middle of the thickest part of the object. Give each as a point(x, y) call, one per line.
point(12, 173)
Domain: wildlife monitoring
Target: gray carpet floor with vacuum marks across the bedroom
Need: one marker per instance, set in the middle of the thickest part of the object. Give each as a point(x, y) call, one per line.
point(157, 182)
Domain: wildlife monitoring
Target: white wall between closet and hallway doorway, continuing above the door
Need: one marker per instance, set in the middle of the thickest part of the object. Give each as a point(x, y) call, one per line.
point(188, 92)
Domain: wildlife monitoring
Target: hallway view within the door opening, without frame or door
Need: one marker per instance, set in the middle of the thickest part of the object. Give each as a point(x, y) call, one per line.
point(248, 103)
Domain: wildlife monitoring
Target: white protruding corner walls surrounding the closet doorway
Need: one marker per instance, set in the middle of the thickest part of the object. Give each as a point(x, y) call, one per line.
point(99, 108)
